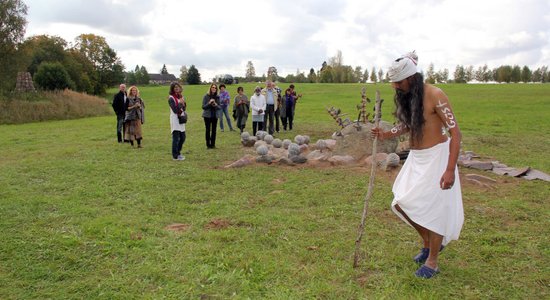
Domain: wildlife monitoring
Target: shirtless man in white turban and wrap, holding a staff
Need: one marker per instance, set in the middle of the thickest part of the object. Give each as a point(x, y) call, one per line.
point(427, 193)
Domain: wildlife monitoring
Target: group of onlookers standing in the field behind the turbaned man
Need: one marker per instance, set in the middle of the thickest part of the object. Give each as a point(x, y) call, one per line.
point(267, 104)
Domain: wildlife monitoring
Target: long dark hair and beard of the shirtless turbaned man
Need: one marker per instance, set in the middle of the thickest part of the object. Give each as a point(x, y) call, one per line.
point(410, 107)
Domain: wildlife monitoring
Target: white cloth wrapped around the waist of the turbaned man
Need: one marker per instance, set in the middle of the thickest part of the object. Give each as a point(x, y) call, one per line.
point(418, 193)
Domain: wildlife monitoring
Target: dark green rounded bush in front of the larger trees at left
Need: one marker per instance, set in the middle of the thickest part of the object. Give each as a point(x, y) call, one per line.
point(52, 76)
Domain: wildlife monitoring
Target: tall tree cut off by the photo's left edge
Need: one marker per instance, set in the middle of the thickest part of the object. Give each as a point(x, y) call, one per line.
point(12, 30)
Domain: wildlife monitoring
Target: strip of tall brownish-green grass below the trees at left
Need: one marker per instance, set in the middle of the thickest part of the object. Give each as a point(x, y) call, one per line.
point(44, 105)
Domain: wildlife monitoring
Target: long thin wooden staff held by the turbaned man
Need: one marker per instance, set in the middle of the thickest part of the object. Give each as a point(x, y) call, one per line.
point(377, 115)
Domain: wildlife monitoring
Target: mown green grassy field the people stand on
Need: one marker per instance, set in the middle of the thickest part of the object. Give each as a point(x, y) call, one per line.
point(84, 217)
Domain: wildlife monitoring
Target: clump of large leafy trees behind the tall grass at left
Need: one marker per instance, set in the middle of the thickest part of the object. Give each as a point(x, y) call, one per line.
point(88, 65)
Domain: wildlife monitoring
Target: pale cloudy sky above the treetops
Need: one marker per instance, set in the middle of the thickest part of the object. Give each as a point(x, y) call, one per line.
point(220, 37)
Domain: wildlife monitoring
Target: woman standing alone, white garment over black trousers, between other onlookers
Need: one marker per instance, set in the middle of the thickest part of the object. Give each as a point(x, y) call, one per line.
point(178, 118)
